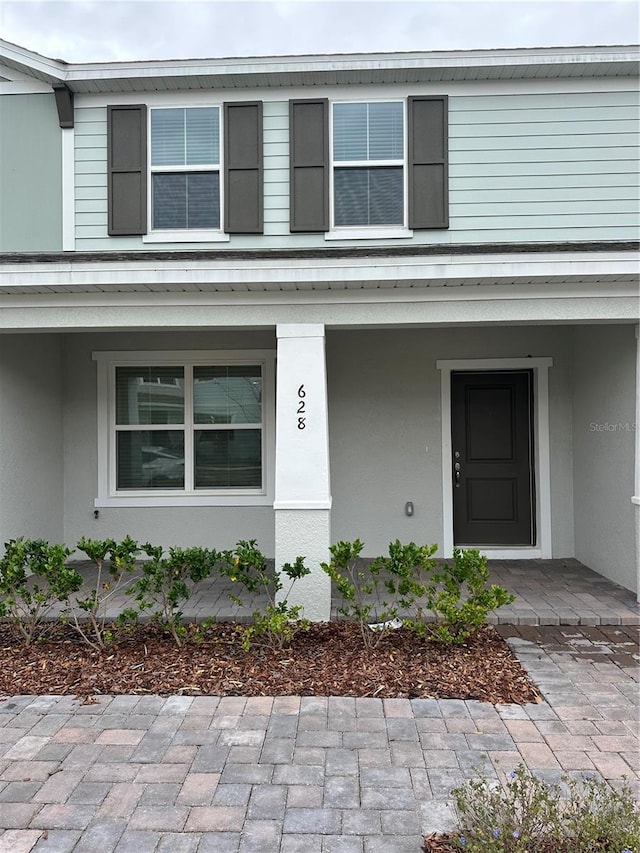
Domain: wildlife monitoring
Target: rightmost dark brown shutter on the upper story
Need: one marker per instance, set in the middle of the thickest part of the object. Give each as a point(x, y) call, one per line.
point(428, 162)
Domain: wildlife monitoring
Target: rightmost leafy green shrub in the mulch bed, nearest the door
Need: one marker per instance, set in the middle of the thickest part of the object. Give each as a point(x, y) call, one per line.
point(459, 594)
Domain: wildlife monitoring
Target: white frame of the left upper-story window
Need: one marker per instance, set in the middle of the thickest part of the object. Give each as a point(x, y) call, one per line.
point(185, 235)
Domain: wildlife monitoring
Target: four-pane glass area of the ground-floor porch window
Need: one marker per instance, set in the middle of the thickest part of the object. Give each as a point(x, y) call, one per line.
point(213, 443)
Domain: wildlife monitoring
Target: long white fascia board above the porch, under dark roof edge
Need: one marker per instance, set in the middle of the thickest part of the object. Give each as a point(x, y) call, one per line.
point(301, 274)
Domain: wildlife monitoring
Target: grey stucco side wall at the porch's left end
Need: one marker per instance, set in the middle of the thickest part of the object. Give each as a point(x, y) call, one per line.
point(31, 437)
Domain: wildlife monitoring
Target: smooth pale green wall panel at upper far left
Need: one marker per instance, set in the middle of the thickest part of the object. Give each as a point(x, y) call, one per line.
point(30, 174)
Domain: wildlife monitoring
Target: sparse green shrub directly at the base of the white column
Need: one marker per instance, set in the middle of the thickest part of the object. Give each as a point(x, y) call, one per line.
point(278, 622)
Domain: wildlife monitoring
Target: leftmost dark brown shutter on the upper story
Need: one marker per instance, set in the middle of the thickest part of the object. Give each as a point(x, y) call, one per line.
point(127, 169)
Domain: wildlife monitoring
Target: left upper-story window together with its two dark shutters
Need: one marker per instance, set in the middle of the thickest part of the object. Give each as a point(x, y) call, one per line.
point(185, 173)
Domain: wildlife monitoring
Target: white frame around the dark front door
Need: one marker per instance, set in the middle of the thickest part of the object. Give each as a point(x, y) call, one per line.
point(542, 461)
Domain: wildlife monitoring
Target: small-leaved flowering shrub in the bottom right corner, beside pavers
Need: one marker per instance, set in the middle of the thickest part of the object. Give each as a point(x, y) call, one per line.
point(530, 816)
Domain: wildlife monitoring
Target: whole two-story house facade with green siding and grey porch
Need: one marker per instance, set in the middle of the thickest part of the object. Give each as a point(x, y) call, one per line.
point(305, 299)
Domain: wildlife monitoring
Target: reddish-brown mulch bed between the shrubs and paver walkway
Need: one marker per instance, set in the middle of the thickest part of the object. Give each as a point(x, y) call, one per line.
point(327, 660)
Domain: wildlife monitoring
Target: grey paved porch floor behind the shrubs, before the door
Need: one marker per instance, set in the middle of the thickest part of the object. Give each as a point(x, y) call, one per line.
point(548, 592)
